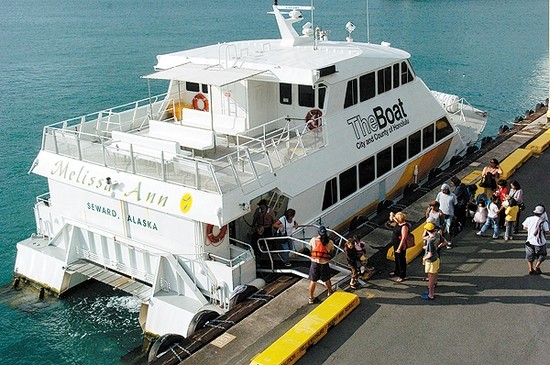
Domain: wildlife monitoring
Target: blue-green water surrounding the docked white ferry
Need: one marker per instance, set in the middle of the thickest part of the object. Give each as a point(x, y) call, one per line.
point(60, 59)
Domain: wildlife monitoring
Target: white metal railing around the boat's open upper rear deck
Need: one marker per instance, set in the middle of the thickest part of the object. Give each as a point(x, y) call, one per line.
point(244, 158)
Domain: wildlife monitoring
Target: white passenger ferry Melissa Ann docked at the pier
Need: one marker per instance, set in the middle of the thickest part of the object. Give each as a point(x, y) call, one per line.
point(141, 196)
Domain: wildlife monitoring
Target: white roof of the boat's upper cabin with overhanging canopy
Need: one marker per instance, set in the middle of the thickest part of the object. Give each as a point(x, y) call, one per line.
point(225, 63)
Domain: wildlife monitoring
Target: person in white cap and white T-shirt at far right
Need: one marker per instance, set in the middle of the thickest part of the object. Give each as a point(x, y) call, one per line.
point(535, 247)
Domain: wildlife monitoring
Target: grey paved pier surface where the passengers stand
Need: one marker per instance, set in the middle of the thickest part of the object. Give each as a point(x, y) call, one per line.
point(487, 310)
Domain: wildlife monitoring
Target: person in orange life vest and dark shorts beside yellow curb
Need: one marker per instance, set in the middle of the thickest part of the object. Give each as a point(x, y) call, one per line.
point(322, 248)
